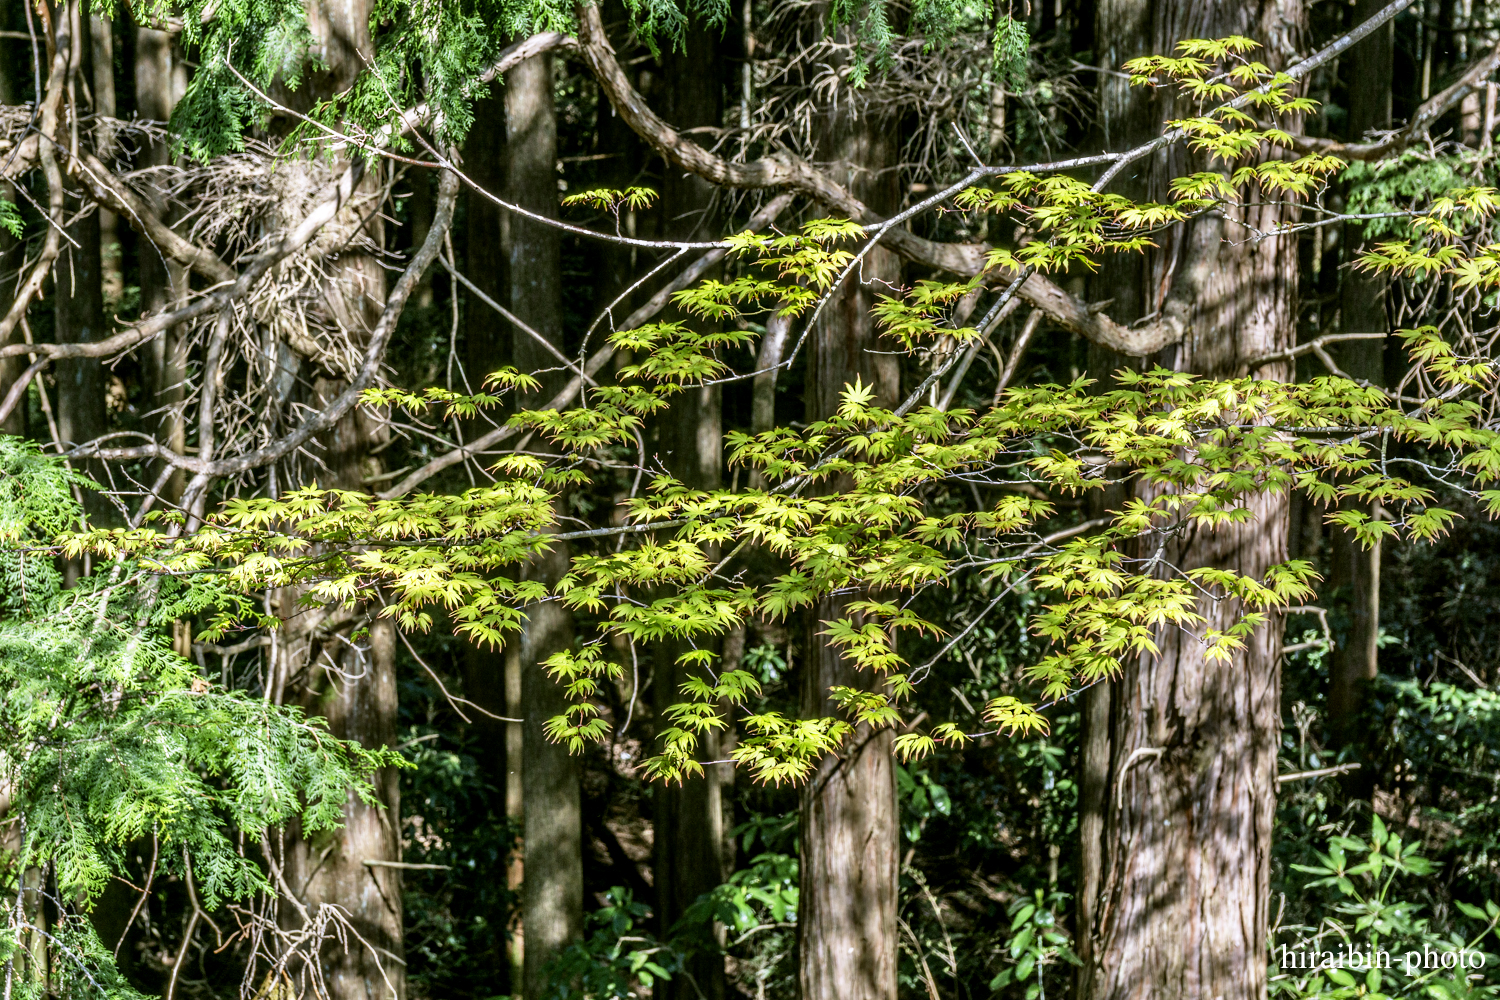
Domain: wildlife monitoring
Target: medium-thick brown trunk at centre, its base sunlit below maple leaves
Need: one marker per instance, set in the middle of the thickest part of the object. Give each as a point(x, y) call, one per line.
point(847, 915)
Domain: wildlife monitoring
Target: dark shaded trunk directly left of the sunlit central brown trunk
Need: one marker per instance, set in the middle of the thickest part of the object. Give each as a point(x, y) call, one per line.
point(691, 816)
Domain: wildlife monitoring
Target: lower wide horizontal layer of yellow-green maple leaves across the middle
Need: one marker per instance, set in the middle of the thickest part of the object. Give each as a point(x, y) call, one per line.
point(1205, 446)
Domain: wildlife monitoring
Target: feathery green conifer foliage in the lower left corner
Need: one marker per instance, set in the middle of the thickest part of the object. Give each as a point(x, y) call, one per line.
point(109, 738)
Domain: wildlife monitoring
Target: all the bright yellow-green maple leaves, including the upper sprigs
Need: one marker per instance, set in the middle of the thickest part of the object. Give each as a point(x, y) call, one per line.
point(842, 506)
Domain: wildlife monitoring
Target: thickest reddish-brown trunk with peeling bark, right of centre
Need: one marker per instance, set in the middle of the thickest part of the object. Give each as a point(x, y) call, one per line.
point(1190, 801)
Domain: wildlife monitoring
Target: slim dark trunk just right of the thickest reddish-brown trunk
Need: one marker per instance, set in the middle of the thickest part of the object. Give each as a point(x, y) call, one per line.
point(1363, 308)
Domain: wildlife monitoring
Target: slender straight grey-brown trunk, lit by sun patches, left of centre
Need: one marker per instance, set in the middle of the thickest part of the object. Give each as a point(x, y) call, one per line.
point(553, 908)
